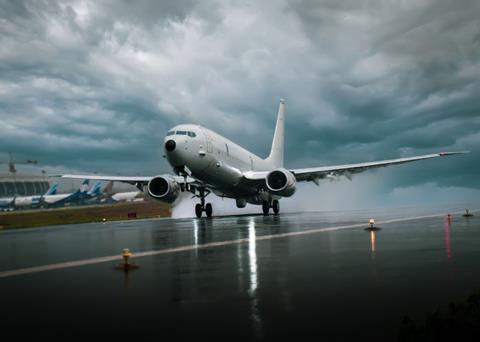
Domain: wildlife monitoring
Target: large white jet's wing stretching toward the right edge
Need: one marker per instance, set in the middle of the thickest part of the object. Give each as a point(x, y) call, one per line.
point(316, 173)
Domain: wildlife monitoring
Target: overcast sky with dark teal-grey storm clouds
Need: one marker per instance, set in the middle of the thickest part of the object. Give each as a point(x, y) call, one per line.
point(94, 85)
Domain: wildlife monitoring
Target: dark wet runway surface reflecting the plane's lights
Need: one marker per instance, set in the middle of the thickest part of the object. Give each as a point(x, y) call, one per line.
point(250, 277)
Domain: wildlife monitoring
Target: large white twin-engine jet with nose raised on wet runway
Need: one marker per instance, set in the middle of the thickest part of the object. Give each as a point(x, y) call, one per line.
point(205, 162)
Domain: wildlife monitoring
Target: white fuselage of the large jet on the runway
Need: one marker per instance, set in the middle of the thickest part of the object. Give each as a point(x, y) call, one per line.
point(214, 160)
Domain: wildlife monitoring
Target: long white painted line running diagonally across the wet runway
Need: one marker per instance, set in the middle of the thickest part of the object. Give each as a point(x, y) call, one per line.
point(69, 264)
